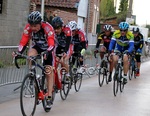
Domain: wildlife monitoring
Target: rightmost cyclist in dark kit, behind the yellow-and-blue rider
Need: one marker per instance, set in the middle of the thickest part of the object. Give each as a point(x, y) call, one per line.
point(138, 45)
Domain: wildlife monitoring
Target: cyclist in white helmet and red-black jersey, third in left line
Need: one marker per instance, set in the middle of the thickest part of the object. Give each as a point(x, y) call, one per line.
point(78, 41)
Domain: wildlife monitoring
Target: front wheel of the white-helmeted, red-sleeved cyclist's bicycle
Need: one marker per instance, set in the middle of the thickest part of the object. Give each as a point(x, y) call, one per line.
point(77, 81)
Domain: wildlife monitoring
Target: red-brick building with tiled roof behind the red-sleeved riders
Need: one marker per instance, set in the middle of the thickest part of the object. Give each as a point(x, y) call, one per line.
point(87, 17)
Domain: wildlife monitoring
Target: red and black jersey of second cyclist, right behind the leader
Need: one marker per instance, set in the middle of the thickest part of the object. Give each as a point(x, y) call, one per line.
point(63, 40)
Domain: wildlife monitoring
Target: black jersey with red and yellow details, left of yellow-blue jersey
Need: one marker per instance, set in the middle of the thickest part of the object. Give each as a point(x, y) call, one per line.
point(106, 39)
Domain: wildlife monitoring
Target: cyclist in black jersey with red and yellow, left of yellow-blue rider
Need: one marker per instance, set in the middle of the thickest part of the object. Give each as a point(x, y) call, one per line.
point(105, 37)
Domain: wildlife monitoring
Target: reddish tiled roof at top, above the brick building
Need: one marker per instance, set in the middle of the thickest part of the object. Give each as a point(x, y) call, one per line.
point(59, 3)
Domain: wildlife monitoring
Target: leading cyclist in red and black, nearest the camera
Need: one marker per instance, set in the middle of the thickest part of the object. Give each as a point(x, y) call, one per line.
point(42, 35)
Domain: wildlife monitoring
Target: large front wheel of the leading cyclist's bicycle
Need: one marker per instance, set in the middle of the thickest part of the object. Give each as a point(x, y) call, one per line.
point(29, 86)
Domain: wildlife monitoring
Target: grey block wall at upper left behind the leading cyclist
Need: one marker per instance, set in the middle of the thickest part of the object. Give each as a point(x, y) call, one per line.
point(12, 21)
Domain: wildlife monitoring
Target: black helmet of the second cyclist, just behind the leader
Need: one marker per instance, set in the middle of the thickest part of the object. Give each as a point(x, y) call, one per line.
point(57, 22)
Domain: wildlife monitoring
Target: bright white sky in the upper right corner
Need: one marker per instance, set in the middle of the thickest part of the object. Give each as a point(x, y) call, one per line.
point(141, 8)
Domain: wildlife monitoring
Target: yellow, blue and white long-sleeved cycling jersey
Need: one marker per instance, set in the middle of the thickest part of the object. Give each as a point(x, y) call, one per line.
point(122, 43)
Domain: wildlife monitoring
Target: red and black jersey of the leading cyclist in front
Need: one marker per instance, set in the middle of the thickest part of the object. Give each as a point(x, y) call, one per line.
point(44, 38)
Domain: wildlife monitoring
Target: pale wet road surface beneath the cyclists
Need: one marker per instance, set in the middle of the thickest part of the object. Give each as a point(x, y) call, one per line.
point(91, 100)
